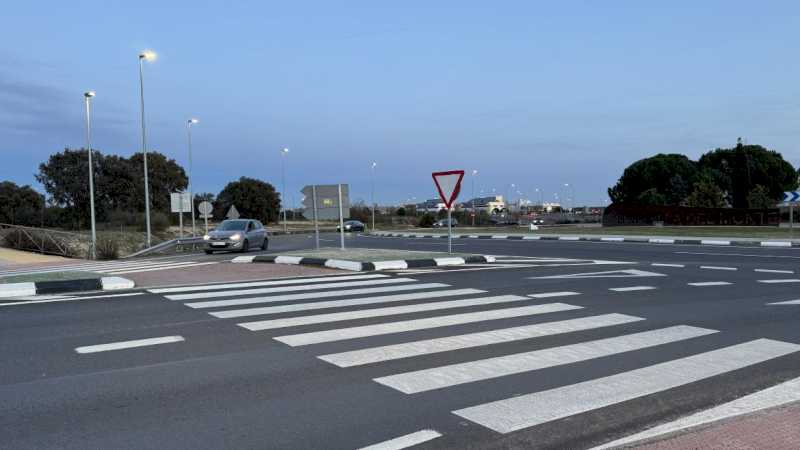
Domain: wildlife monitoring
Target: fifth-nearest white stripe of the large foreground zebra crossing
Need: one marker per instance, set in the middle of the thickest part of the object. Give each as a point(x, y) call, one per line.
point(377, 312)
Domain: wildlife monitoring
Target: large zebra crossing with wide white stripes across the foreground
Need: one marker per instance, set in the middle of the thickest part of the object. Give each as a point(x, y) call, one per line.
point(336, 306)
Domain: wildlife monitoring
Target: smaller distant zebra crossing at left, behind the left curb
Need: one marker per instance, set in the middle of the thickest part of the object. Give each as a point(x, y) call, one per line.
point(110, 267)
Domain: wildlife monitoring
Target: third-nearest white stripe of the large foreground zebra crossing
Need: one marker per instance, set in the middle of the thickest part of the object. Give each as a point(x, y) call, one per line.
point(480, 339)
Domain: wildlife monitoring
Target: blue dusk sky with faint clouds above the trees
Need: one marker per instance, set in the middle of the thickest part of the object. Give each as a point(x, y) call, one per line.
point(531, 93)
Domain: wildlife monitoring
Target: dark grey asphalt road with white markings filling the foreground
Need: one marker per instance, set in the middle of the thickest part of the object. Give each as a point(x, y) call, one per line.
point(654, 333)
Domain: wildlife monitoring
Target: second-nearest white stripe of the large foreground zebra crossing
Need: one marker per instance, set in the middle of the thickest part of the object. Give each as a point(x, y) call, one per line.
point(485, 369)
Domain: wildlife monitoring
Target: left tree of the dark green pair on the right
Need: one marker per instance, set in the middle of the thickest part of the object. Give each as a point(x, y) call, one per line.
point(671, 175)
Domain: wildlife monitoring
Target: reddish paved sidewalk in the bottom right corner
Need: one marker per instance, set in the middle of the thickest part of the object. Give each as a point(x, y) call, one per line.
point(776, 429)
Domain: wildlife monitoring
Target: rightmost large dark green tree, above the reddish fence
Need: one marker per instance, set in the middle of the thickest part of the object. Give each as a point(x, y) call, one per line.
point(739, 170)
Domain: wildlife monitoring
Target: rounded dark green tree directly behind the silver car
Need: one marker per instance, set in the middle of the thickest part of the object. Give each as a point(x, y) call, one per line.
point(254, 199)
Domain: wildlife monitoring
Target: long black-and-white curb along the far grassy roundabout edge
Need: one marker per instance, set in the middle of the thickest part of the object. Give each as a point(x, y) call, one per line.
point(638, 240)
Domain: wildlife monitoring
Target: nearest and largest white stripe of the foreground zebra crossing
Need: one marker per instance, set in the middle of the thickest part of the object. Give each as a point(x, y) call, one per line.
point(537, 408)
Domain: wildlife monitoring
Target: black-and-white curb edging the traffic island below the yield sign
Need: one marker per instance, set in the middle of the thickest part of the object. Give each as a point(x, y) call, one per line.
point(363, 266)
